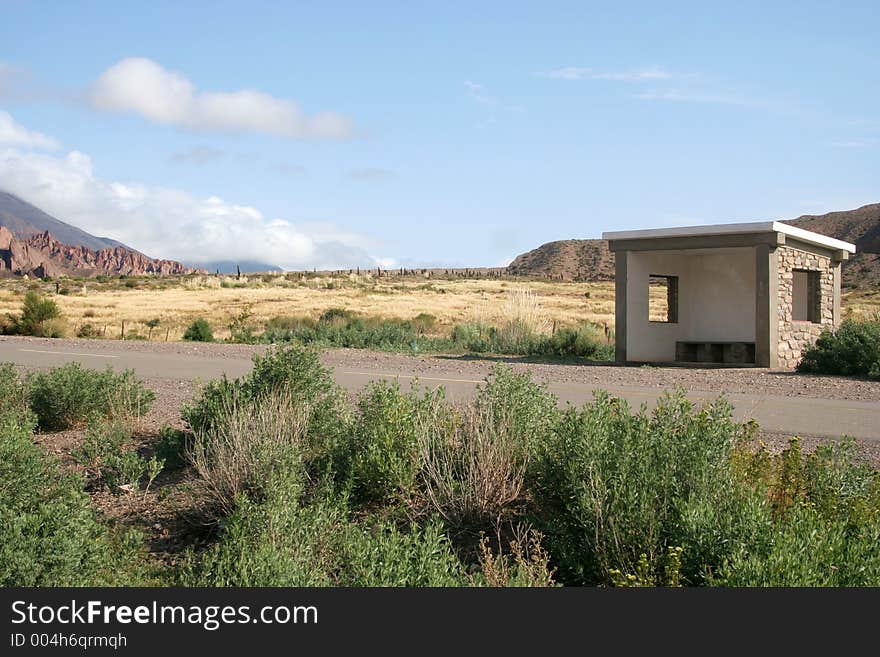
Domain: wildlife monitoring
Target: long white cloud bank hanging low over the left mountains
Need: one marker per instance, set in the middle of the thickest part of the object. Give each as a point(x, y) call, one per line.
point(171, 223)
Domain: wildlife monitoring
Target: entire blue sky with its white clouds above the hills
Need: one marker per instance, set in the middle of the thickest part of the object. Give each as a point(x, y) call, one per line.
point(455, 133)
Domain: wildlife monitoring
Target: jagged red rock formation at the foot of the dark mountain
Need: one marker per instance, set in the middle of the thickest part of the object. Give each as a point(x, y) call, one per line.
point(42, 255)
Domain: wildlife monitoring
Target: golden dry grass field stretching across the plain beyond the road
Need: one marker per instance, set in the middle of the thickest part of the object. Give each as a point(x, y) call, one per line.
point(177, 301)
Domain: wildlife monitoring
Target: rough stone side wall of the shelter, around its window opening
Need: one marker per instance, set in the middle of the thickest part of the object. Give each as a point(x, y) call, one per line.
point(795, 336)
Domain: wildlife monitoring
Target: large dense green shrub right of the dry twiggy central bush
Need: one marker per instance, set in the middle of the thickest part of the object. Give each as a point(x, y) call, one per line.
point(610, 486)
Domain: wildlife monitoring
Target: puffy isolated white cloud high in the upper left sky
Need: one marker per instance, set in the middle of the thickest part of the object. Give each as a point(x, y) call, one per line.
point(142, 86)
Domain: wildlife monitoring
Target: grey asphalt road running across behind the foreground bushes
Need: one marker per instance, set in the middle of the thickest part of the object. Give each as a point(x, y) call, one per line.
point(777, 414)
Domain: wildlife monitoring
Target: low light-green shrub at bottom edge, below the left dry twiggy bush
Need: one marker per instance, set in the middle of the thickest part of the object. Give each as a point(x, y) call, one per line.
point(282, 543)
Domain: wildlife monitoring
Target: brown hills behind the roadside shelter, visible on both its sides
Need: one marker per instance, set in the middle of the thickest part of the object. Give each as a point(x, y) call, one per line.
point(590, 260)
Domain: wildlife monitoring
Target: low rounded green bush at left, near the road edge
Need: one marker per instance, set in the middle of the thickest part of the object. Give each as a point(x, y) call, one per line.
point(67, 396)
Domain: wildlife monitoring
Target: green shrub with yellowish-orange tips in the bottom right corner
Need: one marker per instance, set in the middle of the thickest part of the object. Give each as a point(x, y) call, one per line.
point(826, 519)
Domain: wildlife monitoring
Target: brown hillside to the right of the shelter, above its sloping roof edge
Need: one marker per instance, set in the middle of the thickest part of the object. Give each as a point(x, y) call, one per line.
point(861, 227)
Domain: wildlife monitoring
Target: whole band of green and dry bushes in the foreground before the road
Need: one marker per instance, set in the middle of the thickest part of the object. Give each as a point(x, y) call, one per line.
point(291, 483)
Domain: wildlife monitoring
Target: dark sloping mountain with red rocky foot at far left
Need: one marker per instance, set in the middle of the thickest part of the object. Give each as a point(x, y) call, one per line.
point(33, 243)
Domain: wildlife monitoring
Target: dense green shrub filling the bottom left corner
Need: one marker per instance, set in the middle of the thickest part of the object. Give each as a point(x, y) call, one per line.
point(49, 535)
